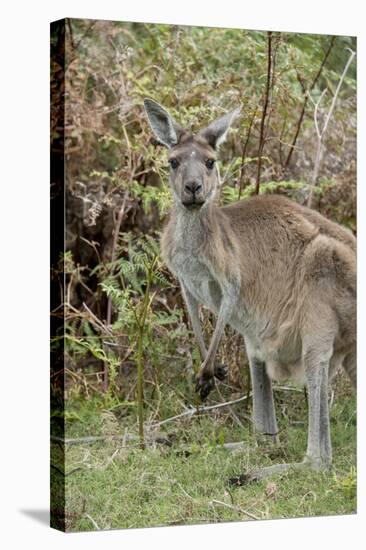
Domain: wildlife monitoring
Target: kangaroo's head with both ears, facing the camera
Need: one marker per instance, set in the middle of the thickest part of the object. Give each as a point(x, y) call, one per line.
point(194, 176)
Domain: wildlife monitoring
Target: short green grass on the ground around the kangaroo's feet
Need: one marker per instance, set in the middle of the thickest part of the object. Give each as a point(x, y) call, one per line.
point(108, 486)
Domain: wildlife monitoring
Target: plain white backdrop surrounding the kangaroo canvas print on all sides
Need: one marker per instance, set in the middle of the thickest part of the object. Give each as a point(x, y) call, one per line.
point(25, 229)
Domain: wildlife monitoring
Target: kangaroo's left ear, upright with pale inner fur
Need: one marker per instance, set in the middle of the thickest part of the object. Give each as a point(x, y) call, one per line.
point(164, 127)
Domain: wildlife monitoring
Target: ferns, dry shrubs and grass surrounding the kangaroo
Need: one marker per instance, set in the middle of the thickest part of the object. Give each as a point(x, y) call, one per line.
point(141, 450)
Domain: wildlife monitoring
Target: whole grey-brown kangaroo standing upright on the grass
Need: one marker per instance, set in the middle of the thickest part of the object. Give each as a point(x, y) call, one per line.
point(279, 273)
